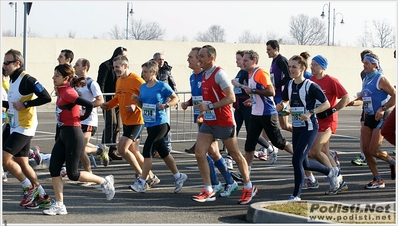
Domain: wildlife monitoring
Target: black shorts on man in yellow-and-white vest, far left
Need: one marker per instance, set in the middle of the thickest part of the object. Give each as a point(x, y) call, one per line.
point(17, 144)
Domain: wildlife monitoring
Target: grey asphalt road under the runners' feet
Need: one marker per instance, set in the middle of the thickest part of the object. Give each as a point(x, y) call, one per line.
point(88, 205)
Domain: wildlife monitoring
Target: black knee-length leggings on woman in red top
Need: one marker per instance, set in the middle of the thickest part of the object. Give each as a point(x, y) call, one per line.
point(67, 148)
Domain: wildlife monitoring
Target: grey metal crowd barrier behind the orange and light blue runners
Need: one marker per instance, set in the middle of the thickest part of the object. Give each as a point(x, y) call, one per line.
point(182, 128)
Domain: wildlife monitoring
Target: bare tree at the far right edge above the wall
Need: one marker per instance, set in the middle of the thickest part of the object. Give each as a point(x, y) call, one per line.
point(384, 36)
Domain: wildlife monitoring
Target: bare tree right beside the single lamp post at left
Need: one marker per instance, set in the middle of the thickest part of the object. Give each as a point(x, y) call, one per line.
point(142, 30)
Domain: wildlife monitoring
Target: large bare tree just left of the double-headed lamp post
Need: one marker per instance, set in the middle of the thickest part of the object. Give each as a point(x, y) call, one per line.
point(306, 31)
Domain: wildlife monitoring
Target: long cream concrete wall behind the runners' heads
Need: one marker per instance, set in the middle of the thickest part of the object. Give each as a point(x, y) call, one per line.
point(42, 53)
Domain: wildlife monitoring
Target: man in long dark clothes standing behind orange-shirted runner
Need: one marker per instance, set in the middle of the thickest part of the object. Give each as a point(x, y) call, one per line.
point(107, 82)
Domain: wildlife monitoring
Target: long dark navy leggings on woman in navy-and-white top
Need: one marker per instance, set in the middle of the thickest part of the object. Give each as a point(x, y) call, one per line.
point(302, 142)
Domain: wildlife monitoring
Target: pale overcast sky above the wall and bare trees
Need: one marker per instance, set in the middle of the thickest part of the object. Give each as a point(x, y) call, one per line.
point(186, 18)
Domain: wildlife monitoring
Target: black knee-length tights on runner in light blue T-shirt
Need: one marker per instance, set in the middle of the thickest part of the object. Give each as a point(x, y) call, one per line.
point(155, 141)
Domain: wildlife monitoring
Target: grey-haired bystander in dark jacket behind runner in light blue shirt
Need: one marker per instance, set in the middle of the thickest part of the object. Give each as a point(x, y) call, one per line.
point(164, 75)
